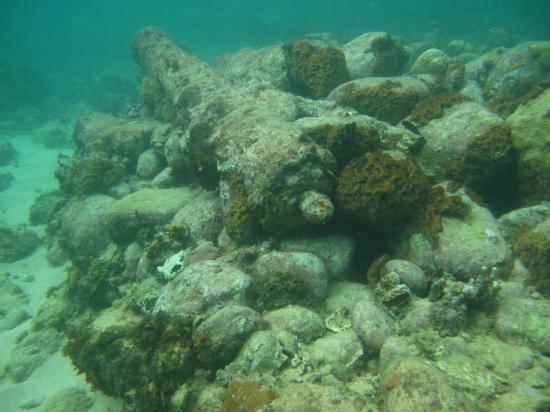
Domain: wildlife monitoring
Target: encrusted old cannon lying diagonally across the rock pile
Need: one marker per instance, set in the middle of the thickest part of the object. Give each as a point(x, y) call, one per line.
point(263, 163)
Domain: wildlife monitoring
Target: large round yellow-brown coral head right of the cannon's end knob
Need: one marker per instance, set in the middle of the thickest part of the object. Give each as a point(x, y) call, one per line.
point(382, 190)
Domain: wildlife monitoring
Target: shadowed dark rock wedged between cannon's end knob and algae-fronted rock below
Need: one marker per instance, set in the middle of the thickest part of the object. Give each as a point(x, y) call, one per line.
point(336, 251)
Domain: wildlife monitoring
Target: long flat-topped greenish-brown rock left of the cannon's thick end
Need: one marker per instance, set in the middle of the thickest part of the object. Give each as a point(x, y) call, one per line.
point(145, 208)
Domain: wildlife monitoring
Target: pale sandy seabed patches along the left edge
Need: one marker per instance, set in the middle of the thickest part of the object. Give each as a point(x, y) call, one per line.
point(34, 174)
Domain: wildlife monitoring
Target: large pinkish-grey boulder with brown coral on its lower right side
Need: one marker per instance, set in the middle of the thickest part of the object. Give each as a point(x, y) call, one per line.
point(449, 138)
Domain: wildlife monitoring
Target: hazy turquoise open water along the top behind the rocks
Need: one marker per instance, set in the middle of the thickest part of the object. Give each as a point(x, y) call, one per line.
point(59, 33)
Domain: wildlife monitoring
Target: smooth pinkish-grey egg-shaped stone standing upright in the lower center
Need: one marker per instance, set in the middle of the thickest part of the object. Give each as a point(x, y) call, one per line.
point(372, 324)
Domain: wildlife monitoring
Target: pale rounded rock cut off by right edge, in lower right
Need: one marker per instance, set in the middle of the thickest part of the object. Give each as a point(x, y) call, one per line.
point(525, 321)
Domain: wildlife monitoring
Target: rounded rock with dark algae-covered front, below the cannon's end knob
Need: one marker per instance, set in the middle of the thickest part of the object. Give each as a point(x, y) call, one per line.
point(281, 278)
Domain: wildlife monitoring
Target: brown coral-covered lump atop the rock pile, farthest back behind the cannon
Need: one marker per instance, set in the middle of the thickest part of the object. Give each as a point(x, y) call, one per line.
point(314, 70)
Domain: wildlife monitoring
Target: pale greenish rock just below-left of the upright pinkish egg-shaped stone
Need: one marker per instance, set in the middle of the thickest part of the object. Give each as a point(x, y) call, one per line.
point(340, 354)
